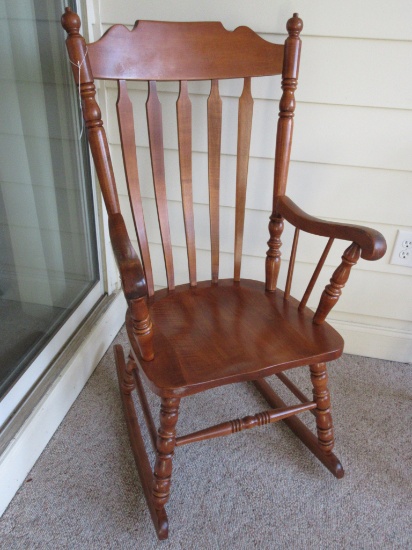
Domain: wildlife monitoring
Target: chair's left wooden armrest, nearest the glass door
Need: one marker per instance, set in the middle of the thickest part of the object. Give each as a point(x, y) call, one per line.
point(130, 267)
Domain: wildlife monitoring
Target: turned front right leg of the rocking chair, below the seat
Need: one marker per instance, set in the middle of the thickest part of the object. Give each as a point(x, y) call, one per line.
point(321, 395)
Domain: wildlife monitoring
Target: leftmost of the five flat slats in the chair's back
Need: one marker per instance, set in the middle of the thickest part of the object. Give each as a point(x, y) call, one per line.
point(127, 137)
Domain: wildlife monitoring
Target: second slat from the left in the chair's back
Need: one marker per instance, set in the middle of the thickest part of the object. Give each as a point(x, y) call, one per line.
point(155, 128)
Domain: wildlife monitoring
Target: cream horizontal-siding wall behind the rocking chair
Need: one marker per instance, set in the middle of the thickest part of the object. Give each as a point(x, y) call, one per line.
point(350, 156)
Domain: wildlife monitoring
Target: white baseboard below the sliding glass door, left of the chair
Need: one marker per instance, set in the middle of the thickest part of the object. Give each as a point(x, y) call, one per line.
point(27, 444)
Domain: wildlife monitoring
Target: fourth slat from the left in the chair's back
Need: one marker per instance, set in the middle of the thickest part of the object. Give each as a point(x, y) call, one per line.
point(214, 130)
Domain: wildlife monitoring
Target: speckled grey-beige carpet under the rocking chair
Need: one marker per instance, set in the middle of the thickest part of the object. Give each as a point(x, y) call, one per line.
point(258, 489)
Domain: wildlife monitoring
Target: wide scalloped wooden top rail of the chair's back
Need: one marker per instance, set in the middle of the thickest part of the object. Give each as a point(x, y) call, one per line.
point(157, 50)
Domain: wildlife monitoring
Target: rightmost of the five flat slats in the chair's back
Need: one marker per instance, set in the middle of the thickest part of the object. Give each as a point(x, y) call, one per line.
point(243, 149)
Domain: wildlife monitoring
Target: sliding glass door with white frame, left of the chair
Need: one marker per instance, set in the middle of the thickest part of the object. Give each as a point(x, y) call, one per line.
point(49, 269)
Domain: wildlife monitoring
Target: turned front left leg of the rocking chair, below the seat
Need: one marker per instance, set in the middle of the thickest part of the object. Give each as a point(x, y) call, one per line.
point(166, 441)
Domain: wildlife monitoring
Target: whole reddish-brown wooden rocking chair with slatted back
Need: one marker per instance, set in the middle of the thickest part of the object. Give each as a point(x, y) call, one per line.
point(192, 337)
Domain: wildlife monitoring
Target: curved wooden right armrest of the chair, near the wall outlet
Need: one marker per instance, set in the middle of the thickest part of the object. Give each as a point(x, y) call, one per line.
point(371, 242)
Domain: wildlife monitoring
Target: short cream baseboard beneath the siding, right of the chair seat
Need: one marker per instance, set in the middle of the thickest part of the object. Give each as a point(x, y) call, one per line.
point(373, 341)
